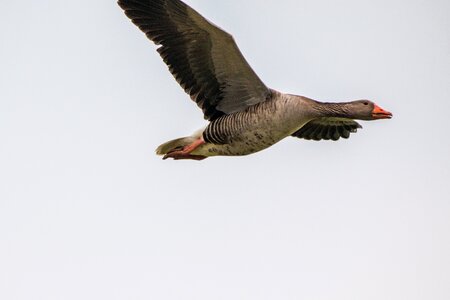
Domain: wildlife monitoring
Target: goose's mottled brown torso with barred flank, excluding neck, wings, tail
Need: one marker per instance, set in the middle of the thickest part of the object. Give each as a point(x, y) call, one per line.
point(255, 128)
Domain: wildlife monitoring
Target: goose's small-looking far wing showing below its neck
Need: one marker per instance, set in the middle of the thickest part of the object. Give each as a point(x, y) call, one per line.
point(327, 129)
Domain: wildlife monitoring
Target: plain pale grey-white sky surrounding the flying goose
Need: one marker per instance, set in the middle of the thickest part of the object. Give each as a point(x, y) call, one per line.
point(87, 211)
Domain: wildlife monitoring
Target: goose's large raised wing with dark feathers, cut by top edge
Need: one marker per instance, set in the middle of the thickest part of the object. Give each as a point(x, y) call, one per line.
point(204, 59)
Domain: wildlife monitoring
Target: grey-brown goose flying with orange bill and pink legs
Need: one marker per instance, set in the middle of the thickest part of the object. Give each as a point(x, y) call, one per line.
point(245, 116)
